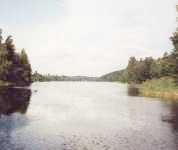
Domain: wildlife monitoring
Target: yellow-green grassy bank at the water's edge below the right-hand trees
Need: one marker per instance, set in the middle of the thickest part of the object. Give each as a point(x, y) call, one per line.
point(164, 88)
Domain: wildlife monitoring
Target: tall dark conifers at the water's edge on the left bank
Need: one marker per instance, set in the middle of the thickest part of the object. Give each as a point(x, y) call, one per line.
point(15, 68)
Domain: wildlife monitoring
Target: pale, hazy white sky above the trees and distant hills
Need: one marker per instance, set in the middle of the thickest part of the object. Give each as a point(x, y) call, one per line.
point(88, 37)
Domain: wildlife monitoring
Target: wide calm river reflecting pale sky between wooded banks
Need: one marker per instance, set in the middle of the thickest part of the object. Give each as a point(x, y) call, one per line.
point(85, 116)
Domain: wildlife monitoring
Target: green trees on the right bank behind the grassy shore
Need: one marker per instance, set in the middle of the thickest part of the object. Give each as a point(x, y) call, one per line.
point(149, 68)
